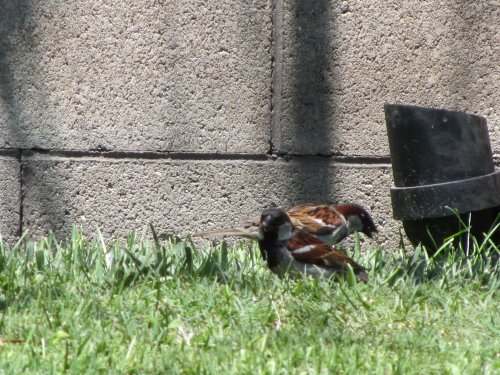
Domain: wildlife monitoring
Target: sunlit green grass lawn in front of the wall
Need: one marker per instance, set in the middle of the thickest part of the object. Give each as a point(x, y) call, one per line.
point(166, 306)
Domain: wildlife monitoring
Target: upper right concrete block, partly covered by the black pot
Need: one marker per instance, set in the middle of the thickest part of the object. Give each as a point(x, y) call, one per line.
point(342, 60)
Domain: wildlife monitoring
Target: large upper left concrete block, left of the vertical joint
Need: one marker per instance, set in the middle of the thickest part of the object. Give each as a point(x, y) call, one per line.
point(135, 75)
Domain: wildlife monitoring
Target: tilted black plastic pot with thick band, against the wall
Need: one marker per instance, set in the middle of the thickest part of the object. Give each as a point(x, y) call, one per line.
point(441, 159)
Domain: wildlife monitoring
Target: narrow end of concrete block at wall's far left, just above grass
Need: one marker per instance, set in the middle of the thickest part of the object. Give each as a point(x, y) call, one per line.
point(9, 198)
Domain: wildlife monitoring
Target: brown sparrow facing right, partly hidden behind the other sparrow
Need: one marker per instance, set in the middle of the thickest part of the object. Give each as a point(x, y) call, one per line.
point(327, 222)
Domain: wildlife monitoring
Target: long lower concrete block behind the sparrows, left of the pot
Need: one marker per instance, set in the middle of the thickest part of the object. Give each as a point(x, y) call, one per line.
point(189, 196)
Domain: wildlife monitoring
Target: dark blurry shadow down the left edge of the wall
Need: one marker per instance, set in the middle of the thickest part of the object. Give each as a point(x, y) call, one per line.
point(16, 41)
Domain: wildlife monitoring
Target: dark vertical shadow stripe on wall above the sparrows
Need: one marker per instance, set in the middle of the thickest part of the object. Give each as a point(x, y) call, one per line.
point(310, 127)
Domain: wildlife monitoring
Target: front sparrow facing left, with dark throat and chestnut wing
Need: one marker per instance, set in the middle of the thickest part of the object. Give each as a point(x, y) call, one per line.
point(286, 247)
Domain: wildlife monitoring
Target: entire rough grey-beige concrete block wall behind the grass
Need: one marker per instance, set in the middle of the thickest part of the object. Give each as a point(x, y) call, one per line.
point(193, 114)
